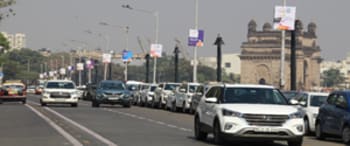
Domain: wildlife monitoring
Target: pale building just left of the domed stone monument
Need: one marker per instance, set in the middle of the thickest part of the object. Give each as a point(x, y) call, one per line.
point(231, 63)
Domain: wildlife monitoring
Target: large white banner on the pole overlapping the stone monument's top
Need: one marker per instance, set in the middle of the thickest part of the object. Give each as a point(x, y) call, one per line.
point(284, 18)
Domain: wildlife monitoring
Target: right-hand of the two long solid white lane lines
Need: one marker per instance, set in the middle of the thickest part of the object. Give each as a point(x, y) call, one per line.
point(92, 133)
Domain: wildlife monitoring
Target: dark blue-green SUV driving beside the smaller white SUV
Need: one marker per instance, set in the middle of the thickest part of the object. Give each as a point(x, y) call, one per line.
point(111, 92)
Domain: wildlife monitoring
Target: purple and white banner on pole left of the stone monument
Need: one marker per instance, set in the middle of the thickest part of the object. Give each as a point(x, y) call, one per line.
point(196, 37)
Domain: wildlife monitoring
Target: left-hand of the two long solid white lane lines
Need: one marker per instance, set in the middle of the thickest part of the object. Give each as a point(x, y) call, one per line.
point(65, 134)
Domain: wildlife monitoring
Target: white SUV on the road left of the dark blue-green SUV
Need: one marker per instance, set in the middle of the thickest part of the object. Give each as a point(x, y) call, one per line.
point(60, 92)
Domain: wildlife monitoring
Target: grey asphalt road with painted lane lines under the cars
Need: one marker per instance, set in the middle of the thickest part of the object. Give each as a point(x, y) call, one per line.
point(61, 125)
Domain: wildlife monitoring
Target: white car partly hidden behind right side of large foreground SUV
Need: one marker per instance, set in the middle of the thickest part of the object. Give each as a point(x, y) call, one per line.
point(310, 103)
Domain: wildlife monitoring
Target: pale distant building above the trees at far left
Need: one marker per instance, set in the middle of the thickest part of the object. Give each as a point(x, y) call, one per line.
point(17, 41)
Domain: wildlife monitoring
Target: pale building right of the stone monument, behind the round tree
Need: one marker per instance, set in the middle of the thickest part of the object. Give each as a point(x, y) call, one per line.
point(342, 65)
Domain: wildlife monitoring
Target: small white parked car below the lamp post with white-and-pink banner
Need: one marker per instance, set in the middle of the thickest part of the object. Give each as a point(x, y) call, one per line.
point(147, 94)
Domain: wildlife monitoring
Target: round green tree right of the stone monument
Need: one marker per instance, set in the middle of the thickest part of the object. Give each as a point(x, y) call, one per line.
point(332, 77)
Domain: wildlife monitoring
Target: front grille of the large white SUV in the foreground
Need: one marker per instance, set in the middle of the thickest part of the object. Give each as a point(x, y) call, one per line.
point(265, 120)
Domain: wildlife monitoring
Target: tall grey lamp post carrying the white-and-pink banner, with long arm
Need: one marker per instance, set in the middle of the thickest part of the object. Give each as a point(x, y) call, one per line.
point(156, 15)
